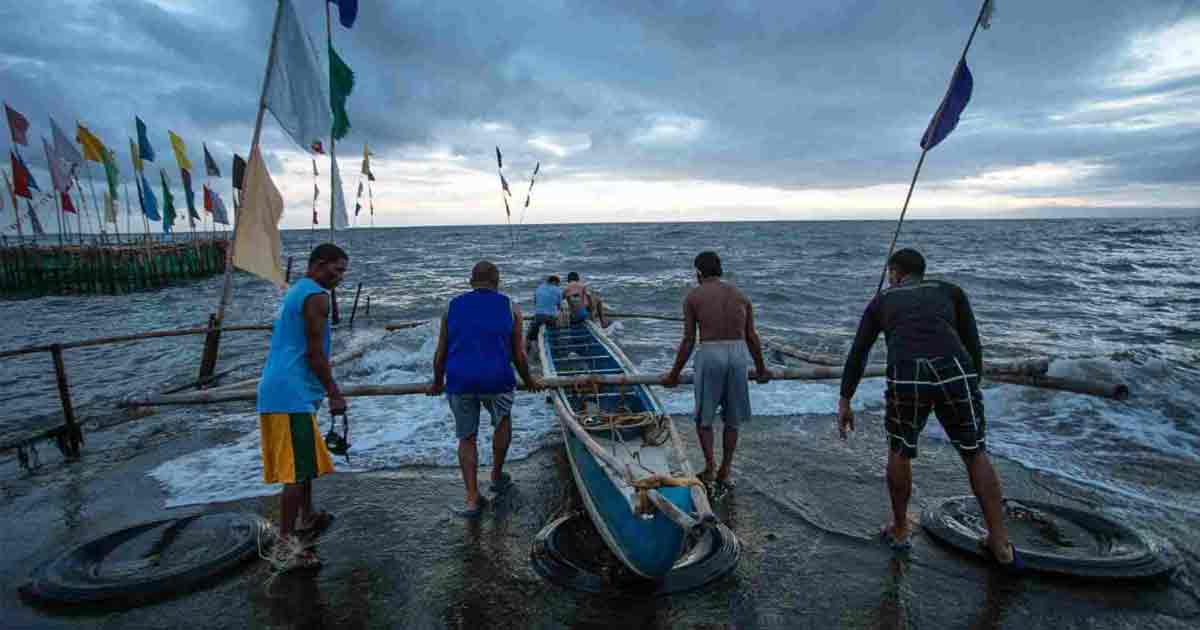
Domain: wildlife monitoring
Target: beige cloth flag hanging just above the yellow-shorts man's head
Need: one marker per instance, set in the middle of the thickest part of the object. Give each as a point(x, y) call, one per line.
point(256, 245)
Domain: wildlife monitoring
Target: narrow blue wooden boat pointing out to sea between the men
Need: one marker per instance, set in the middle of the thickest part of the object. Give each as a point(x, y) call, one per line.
point(626, 455)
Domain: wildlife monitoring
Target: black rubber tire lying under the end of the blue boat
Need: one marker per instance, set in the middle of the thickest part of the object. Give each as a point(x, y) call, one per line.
point(550, 562)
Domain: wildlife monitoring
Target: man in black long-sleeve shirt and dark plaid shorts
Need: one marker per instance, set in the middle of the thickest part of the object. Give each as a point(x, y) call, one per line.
point(935, 361)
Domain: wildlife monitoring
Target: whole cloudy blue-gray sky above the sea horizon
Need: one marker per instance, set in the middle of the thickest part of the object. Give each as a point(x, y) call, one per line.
point(657, 111)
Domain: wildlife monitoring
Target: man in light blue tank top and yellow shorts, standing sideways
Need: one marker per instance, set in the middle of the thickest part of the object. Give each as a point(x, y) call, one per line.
point(296, 380)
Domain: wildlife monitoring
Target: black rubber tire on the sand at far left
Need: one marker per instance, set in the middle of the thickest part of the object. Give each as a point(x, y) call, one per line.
point(71, 579)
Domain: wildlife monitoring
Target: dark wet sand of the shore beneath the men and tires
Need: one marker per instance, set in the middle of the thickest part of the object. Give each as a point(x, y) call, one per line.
point(806, 511)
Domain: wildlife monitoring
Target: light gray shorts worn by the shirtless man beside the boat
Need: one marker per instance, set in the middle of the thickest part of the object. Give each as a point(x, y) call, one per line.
point(723, 370)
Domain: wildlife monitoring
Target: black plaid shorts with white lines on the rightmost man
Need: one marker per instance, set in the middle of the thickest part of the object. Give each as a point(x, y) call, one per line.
point(946, 386)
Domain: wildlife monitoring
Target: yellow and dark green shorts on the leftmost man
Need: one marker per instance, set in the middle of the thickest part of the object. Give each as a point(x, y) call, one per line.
point(293, 449)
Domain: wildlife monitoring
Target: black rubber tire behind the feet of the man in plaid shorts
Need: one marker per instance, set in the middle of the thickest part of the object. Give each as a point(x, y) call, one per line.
point(1147, 560)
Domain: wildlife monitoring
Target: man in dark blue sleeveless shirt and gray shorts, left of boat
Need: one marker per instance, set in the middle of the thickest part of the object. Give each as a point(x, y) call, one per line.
point(478, 347)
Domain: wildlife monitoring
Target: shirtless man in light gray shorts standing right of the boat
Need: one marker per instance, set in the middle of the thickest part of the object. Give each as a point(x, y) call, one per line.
point(728, 343)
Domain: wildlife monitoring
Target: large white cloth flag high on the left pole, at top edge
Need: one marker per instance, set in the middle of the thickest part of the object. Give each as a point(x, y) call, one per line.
point(296, 94)
